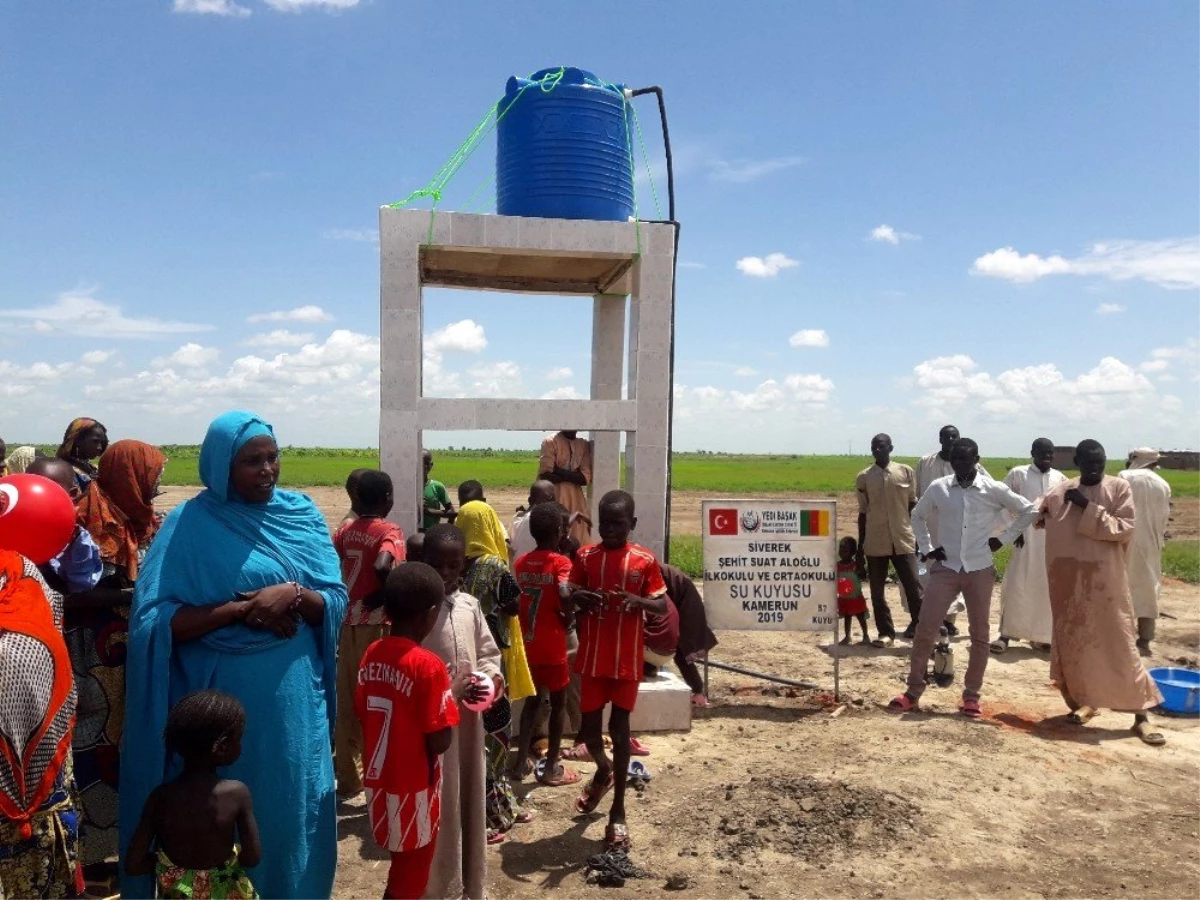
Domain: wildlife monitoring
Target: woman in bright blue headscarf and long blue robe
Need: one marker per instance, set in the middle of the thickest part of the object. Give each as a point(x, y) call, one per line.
point(242, 592)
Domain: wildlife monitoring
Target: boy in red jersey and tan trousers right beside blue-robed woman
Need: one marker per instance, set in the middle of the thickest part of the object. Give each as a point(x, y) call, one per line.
point(369, 548)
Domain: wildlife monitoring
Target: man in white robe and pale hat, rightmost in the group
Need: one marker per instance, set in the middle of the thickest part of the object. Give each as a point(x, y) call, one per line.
point(1153, 506)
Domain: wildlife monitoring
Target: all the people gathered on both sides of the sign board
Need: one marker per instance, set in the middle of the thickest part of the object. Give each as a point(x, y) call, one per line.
point(191, 698)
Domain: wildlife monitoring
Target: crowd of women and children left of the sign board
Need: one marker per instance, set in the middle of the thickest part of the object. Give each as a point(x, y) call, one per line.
point(220, 680)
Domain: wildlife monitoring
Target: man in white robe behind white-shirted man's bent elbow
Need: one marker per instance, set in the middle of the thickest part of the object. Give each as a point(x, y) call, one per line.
point(1025, 592)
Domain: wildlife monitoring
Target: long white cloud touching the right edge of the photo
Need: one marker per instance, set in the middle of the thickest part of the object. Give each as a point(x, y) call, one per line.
point(1173, 263)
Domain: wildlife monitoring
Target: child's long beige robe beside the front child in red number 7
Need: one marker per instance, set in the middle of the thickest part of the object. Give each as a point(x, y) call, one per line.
point(461, 638)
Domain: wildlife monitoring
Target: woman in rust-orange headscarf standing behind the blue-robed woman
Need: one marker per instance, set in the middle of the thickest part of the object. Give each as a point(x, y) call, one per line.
point(118, 513)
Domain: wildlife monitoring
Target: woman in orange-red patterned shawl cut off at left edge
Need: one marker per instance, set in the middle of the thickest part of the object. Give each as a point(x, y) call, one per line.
point(38, 821)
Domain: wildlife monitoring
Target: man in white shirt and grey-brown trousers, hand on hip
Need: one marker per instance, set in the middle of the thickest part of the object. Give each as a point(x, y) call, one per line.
point(969, 507)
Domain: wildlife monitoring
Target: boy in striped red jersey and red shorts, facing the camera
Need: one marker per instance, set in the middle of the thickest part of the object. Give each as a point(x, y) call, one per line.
point(615, 584)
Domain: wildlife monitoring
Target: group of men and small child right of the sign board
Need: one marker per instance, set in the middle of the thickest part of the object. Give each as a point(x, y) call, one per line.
point(1083, 583)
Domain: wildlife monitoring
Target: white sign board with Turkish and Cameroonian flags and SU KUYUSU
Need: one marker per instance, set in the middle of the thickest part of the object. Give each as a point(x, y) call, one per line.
point(771, 565)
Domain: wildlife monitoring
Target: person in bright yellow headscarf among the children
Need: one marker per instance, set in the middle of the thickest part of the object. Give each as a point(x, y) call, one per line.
point(488, 579)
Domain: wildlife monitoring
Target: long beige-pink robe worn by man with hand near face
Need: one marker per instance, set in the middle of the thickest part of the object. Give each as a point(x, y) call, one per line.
point(1094, 657)
